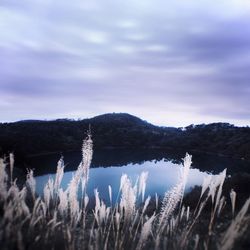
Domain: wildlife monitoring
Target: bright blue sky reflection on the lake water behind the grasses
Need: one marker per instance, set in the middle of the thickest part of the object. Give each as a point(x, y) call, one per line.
point(162, 176)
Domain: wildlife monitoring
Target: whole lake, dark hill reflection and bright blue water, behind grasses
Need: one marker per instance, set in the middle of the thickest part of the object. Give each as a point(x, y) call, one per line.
point(107, 167)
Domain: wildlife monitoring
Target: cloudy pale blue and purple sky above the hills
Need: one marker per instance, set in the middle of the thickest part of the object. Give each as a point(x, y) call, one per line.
point(170, 62)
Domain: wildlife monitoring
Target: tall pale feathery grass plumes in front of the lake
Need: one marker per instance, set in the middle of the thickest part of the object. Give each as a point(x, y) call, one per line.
point(63, 219)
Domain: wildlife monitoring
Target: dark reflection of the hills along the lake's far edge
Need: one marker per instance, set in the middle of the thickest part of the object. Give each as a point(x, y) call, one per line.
point(122, 157)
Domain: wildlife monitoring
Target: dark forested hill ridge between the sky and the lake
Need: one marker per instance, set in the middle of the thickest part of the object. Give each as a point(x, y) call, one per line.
point(121, 130)
